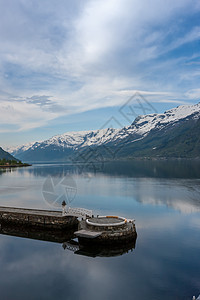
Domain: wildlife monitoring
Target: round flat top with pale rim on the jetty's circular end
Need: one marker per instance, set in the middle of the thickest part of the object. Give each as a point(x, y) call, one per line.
point(106, 221)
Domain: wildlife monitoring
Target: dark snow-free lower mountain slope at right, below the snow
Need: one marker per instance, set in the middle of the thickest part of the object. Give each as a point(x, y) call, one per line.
point(182, 140)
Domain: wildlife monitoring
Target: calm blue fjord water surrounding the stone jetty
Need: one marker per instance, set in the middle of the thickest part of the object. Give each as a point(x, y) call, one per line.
point(163, 198)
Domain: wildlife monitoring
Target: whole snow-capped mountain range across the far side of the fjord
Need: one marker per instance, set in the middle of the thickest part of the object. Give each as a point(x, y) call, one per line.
point(175, 133)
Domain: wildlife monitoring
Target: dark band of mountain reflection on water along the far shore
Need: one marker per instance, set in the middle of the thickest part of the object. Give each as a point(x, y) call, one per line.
point(138, 168)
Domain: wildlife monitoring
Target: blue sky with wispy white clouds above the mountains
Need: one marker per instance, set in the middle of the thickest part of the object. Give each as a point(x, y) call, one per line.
point(74, 65)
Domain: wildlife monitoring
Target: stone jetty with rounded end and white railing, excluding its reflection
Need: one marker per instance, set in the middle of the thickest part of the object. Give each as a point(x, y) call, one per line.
point(102, 230)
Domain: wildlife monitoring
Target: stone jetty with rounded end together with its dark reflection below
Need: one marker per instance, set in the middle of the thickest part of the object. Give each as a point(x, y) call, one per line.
point(97, 236)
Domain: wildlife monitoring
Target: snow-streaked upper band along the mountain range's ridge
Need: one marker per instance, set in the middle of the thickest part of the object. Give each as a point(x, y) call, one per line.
point(140, 128)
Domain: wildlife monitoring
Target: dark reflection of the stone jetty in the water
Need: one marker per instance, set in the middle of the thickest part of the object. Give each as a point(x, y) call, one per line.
point(66, 239)
